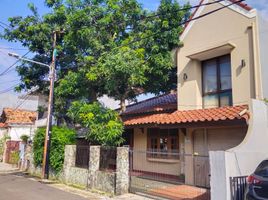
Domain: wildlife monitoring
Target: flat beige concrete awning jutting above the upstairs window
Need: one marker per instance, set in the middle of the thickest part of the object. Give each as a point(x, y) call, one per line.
point(212, 52)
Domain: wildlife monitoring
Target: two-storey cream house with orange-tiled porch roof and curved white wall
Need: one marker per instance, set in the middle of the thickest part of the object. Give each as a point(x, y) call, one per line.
point(217, 129)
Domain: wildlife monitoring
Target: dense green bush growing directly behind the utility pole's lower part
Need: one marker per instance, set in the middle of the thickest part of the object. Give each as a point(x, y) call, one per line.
point(60, 137)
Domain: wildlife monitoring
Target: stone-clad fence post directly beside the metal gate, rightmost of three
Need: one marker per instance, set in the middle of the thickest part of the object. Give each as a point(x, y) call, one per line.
point(122, 171)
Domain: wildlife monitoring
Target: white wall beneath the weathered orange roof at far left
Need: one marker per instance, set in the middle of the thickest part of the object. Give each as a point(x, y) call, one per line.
point(16, 131)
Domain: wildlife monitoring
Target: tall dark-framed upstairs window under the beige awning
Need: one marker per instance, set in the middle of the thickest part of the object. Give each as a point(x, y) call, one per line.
point(217, 82)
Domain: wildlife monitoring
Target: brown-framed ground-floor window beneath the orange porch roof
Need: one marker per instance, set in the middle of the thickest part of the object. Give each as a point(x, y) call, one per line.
point(163, 143)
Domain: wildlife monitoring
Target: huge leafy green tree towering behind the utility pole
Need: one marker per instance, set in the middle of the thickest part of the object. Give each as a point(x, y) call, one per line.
point(103, 41)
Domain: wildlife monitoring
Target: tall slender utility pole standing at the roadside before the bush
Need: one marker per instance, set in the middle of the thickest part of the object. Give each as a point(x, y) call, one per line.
point(45, 169)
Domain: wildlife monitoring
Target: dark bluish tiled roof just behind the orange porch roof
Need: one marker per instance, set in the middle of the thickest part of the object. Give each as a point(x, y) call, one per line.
point(162, 103)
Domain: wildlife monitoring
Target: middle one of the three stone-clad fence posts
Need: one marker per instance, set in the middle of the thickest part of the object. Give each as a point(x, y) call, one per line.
point(94, 165)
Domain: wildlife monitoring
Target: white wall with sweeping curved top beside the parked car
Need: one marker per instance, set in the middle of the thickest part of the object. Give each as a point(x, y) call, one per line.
point(243, 159)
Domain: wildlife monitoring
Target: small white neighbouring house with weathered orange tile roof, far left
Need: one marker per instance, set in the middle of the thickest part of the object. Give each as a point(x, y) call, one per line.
point(18, 122)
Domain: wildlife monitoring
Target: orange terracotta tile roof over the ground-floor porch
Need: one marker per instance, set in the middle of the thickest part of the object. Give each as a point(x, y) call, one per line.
point(188, 116)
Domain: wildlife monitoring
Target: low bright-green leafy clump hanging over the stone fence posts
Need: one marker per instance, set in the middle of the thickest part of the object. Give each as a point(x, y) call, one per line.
point(105, 126)
